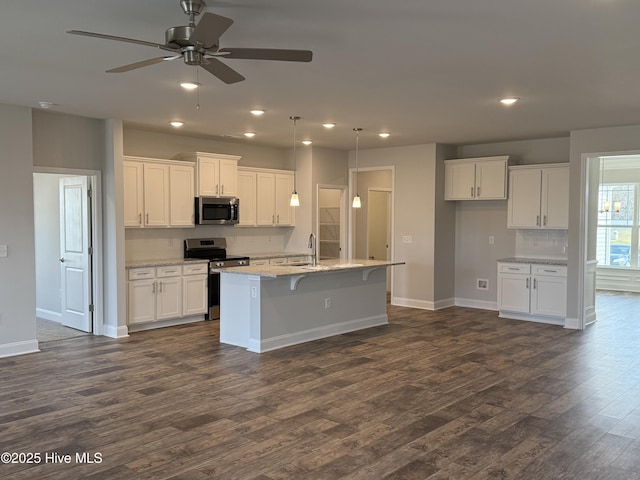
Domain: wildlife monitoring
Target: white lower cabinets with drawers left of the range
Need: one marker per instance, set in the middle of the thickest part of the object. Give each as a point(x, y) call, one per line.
point(166, 292)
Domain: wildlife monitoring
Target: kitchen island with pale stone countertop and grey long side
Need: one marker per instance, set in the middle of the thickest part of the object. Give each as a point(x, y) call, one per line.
point(266, 307)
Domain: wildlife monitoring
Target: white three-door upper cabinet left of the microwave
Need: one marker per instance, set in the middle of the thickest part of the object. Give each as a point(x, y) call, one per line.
point(158, 193)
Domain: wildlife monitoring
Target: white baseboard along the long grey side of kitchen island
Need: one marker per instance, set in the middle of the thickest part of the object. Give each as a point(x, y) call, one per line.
point(260, 346)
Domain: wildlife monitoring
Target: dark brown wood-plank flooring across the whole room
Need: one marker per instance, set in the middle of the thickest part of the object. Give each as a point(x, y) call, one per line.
point(453, 394)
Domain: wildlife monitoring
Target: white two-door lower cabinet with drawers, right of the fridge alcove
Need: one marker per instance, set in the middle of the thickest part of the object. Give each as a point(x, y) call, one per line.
point(534, 292)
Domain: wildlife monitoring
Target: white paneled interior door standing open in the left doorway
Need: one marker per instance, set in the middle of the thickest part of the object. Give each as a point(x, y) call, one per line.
point(75, 258)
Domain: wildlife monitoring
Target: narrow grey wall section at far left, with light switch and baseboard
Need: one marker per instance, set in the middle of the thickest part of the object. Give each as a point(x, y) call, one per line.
point(17, 278)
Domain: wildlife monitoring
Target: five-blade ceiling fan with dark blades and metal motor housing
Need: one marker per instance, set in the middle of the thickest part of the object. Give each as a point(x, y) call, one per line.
point(199, 45)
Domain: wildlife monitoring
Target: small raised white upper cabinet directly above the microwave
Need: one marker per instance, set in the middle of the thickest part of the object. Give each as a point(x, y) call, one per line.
point(216, 174)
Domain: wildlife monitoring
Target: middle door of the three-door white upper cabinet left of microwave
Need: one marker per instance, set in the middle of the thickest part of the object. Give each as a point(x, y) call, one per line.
point(156, 195)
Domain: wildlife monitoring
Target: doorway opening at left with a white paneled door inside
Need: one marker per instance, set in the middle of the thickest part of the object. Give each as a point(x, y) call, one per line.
point(68, 253)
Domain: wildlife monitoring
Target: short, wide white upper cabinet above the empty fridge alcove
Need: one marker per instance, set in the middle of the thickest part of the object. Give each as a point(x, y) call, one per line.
point(483, 178)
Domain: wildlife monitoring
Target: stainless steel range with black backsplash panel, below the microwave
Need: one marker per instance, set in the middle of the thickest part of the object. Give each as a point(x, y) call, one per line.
point(214, 250)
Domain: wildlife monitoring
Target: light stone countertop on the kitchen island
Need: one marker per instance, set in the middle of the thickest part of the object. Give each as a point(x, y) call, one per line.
point(326, 266)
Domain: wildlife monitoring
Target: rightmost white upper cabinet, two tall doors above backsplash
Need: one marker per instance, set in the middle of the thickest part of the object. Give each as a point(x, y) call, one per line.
point(539, 196)
